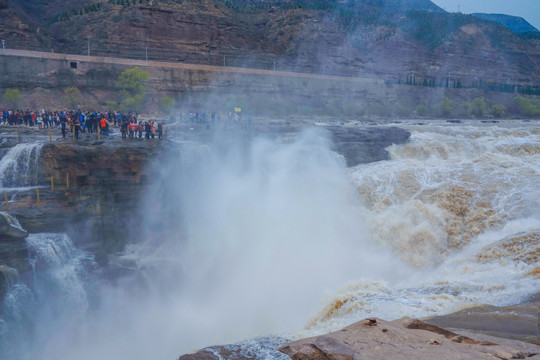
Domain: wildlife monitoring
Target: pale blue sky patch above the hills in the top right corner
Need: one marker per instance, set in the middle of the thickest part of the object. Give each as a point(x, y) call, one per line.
point(527, 9)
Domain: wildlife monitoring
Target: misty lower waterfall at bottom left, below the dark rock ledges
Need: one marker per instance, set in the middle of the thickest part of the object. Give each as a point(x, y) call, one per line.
point(51, 302)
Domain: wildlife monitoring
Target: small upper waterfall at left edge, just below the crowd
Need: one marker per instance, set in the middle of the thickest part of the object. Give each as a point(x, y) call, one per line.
point(20, 166)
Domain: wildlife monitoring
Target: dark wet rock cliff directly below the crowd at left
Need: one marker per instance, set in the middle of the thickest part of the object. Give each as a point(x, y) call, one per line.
point(97, 194)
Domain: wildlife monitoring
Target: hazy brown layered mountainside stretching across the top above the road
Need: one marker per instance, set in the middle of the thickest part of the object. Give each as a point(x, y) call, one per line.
point(392, 39)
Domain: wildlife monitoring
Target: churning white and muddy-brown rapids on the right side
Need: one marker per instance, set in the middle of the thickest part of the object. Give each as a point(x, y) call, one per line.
point(459, 204)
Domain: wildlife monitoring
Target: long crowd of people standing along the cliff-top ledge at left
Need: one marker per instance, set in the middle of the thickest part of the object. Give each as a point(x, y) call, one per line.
point(84, 122)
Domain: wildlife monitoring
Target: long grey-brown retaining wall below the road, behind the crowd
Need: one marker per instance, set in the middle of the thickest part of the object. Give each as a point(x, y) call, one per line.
point(48, 74)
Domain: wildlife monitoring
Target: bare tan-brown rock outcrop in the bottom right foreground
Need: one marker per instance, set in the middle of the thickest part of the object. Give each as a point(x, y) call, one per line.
point(405, 339)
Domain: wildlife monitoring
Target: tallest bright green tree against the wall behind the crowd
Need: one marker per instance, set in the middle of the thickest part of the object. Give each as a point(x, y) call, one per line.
point(132, 89)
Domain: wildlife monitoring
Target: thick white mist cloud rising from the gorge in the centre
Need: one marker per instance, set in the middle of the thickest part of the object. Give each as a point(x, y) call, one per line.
point(247, 240)
